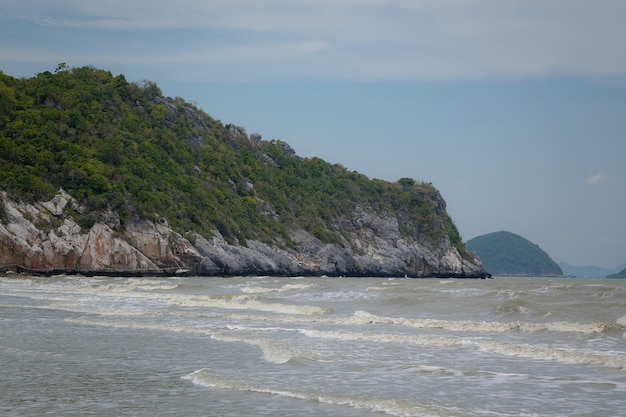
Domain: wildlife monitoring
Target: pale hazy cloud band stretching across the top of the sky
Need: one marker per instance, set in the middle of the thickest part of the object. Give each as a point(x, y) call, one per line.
point(361, 39)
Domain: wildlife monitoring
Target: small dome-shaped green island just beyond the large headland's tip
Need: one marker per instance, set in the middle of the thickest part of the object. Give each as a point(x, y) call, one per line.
point(505, 253)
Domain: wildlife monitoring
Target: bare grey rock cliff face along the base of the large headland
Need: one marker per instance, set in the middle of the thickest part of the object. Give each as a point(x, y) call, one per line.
point(44, 238)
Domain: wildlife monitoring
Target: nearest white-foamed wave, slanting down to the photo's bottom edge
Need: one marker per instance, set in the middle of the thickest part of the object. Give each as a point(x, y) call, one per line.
point(211, 379)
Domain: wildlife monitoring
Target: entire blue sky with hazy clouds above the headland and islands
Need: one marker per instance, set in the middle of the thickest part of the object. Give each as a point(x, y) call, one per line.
point(515, 110)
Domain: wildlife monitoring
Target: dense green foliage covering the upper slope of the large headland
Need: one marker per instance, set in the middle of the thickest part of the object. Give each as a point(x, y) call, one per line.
point(123, 147)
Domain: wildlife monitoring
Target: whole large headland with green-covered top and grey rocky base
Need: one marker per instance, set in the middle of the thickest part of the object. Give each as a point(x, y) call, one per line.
point(84, 147)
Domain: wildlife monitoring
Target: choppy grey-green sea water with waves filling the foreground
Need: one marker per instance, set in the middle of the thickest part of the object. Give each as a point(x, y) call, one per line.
point(269, 346)
